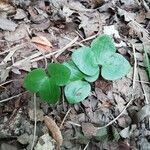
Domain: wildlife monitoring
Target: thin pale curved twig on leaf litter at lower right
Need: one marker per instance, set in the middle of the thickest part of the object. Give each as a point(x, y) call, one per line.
point(111, 122)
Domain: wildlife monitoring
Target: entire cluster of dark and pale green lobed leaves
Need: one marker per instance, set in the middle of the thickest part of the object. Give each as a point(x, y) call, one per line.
point(75, 75)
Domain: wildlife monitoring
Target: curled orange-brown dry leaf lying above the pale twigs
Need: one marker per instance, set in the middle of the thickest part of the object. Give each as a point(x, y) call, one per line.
point(42, 43)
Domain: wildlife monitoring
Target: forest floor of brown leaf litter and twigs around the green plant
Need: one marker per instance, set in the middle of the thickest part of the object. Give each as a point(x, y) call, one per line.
point(120, 107)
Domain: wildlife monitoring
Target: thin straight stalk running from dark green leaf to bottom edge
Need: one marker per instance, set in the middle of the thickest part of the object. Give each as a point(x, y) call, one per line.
point(34, 134)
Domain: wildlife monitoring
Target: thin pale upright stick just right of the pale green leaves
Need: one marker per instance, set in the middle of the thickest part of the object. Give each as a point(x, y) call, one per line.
point(135, 66)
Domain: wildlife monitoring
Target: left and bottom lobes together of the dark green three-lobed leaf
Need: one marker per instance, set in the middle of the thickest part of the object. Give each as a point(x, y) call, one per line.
point(37, 81)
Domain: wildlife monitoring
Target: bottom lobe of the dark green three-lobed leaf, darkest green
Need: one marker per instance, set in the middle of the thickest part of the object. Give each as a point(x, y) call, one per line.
point(50, 92)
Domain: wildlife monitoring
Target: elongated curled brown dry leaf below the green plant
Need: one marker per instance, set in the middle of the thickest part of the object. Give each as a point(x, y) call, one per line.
point(54, 129)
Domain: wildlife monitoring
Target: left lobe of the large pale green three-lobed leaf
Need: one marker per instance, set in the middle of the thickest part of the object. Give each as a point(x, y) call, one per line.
point(84, 59)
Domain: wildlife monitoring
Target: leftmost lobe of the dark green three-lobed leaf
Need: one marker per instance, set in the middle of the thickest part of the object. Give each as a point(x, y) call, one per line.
point(35, 80)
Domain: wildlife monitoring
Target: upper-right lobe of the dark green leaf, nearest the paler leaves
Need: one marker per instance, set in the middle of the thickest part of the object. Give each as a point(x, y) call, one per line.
point(59, 73)
